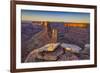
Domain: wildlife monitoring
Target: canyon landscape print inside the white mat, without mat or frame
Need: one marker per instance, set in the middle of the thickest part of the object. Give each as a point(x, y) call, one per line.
point(54, 36)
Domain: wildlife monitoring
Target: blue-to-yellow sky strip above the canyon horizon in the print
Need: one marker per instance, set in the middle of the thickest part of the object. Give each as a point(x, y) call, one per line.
point(55, 16)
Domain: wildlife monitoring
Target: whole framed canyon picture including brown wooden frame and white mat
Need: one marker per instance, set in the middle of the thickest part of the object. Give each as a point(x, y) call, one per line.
point(52, 36)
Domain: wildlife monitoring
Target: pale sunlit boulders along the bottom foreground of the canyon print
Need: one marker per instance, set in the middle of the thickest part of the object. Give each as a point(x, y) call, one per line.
point(61, 52)
